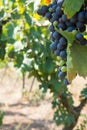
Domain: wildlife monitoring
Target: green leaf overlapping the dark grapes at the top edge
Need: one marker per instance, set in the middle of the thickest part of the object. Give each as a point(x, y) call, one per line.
point(72, 6)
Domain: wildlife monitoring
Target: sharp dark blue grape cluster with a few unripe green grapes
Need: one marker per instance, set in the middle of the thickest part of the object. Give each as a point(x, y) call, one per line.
point(54, 13)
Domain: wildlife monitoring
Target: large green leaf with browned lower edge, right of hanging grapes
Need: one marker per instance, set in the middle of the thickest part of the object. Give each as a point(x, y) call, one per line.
point(77, 61)
